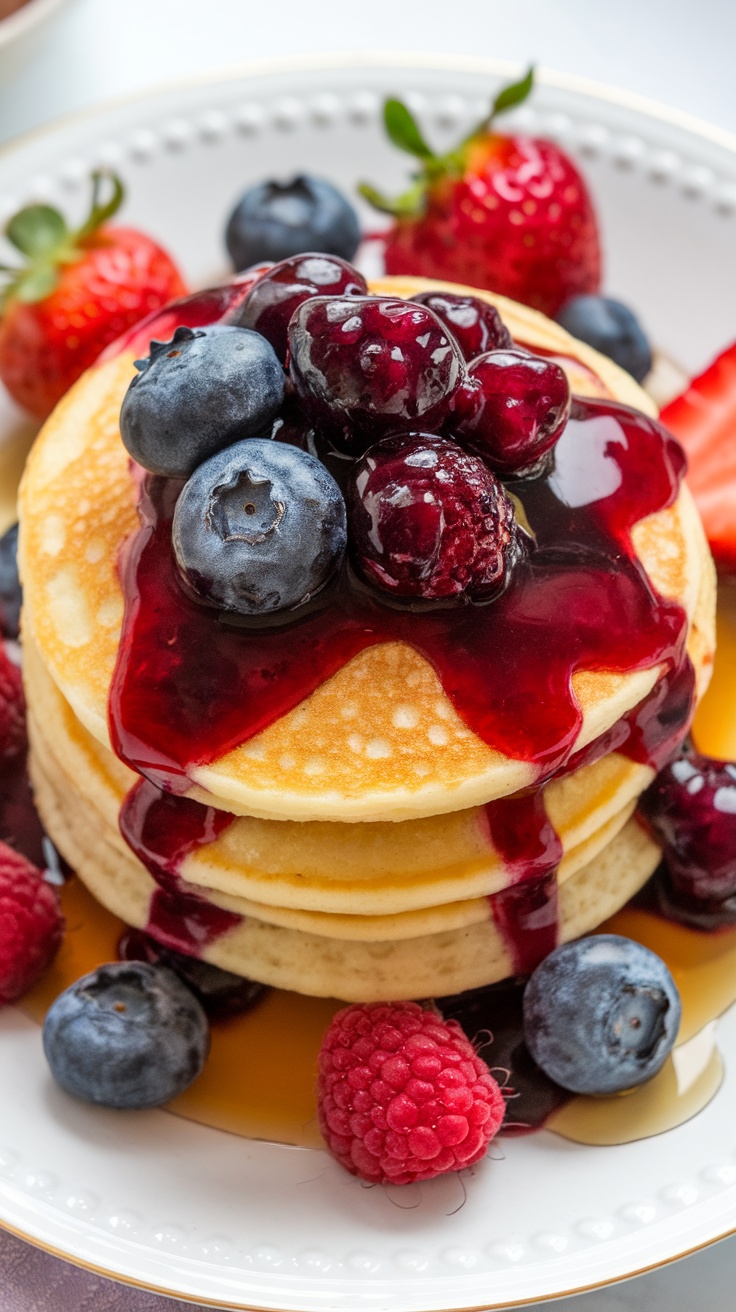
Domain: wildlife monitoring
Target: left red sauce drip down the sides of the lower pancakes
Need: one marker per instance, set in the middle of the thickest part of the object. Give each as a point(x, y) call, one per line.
point(162, 831)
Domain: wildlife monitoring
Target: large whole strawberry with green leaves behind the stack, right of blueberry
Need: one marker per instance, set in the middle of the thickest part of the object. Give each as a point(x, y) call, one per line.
point(503, 212)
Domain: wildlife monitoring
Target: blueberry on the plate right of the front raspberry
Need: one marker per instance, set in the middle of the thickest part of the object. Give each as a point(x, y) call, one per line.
point(602, 1015)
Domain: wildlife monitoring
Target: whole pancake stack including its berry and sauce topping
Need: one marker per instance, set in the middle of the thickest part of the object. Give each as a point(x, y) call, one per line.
point(358, 620)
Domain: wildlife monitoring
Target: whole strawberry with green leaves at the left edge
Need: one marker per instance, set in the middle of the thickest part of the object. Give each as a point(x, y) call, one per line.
point(78, 292)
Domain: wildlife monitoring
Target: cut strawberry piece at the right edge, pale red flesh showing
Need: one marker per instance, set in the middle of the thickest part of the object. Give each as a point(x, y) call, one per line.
point(704, 418)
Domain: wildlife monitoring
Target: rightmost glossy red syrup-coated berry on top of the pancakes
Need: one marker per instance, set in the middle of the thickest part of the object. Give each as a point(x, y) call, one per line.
point(512, 410)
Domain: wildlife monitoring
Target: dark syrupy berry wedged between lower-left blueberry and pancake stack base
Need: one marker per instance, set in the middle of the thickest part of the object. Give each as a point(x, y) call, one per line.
point(221, 994)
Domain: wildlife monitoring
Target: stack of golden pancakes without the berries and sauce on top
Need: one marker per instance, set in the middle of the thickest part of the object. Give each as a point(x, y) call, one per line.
point(359, 847)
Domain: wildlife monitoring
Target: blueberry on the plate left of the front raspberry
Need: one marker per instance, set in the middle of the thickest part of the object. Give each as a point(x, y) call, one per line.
point(127, 1036)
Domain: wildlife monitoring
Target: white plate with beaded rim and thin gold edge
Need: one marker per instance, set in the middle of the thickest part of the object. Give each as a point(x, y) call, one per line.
point(176, 1208)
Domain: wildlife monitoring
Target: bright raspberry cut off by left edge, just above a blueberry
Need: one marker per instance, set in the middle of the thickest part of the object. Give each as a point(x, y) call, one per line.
point(31, 924)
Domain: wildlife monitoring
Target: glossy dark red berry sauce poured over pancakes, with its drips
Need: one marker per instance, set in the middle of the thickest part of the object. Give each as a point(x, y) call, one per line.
point(190, 688)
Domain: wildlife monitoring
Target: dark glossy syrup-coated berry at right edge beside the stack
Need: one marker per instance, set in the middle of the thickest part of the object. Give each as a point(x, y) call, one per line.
point(692, 809)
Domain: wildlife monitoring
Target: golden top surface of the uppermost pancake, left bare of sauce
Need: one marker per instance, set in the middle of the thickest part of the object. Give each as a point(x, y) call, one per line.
point(380, 738)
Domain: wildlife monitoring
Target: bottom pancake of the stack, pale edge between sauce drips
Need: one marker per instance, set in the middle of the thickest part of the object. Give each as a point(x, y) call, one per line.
point(451, 961)
